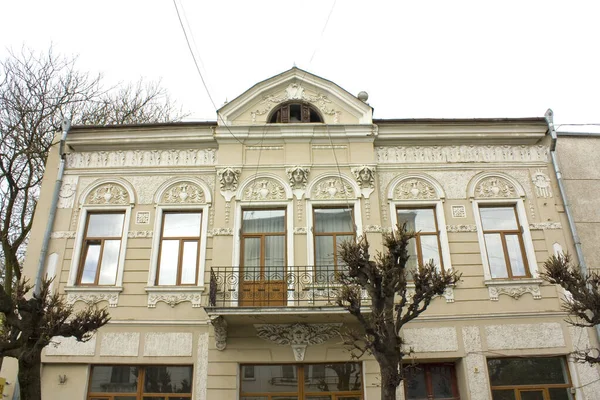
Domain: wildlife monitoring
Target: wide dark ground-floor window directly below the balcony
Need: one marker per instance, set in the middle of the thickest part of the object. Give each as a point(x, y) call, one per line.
point(339, 381)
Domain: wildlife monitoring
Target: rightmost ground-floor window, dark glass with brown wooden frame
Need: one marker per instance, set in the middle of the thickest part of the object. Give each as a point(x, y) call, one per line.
point(540, 378)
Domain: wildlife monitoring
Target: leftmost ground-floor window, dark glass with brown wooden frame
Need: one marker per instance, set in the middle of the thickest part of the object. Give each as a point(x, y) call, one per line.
point(134, 382)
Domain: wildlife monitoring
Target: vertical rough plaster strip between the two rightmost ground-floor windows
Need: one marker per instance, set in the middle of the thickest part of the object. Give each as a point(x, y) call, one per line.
point(475, 364)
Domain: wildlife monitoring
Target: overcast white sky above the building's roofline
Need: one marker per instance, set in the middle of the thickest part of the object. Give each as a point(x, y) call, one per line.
point(416, 59)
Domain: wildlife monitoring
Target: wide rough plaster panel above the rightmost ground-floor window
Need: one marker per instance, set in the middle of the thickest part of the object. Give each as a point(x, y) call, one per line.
point(524, 336)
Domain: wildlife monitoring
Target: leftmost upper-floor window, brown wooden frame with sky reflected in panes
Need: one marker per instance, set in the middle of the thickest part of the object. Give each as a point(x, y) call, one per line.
point(101, 248)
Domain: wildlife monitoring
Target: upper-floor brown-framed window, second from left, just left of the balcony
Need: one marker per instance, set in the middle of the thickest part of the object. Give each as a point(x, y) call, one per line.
point(179, 253)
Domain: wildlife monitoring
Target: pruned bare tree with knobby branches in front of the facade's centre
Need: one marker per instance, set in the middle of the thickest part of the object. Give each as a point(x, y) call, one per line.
point(392, 301)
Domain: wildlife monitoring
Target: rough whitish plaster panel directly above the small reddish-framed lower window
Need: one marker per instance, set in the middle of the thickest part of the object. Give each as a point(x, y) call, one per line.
point(431, 339)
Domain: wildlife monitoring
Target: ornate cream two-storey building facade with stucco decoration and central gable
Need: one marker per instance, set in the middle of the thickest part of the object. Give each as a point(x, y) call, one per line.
point(214, 247)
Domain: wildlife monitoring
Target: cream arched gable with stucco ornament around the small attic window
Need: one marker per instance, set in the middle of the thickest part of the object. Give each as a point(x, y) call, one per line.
point(335, 104)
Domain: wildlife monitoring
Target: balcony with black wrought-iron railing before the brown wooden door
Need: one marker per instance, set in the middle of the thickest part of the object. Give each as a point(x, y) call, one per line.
point(284, 292)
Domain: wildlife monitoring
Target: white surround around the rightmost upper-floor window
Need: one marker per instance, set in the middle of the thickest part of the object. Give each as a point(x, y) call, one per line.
point(527, 239)
